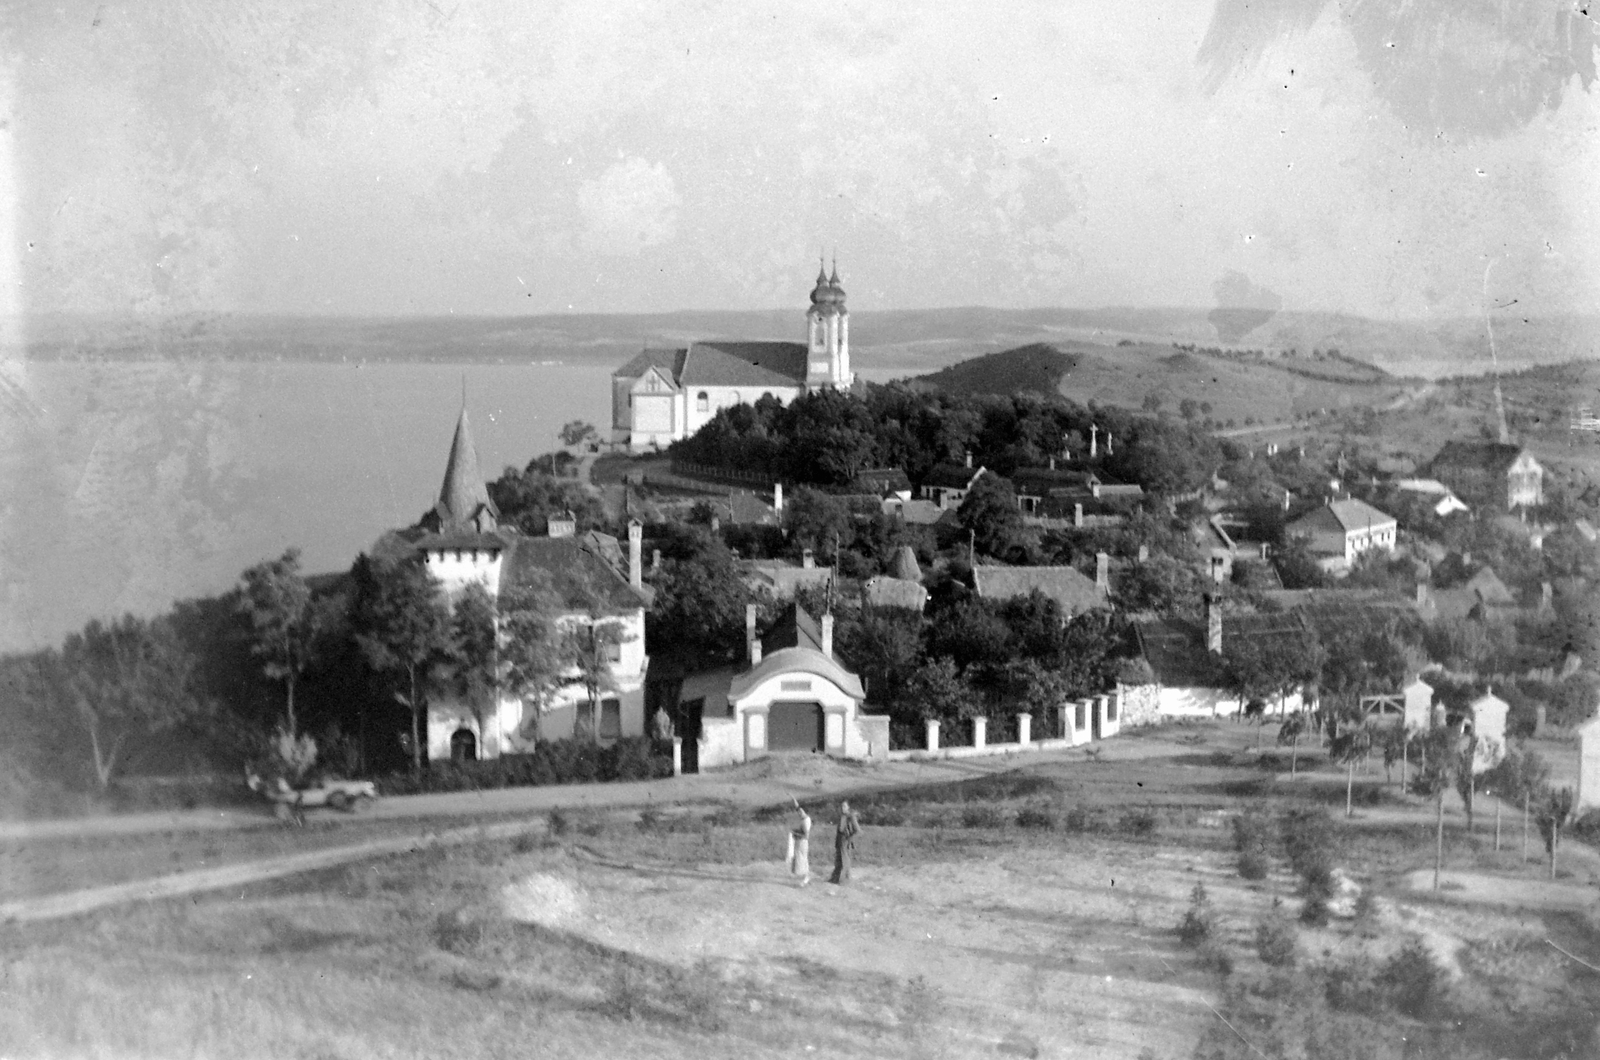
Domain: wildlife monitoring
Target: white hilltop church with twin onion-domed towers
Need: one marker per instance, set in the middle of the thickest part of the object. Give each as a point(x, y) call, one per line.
point(668, 395)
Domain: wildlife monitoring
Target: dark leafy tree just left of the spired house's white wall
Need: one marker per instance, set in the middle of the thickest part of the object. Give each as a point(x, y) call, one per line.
point(402, 625)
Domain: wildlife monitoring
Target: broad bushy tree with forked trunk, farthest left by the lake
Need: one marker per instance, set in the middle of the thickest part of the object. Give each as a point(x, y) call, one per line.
point(121, 681)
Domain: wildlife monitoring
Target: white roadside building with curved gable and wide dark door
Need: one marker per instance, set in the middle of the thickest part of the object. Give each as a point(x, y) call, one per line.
point(790, 694)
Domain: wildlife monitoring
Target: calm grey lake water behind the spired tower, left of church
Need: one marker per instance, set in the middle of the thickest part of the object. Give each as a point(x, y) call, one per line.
point(132, 484)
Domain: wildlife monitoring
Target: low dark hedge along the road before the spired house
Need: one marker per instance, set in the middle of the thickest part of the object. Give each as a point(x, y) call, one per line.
point(556, 763)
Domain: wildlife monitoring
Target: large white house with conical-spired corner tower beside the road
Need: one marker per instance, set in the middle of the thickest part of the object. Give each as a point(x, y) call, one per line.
point(462, 542)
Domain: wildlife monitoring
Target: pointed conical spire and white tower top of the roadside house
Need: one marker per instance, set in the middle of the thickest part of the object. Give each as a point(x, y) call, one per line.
point(463, 540)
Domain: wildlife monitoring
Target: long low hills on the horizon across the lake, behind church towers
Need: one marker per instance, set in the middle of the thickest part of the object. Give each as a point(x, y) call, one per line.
point(914, 340)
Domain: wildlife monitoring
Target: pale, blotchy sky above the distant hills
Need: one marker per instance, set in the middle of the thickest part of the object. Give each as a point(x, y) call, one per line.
point(511, 158)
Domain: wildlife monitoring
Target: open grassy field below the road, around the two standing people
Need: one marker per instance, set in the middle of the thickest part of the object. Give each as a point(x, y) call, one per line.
point(1028, 913)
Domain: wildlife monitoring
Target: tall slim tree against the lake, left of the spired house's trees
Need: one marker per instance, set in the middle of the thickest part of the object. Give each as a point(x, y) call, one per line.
point(287, 624)
